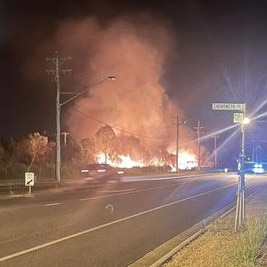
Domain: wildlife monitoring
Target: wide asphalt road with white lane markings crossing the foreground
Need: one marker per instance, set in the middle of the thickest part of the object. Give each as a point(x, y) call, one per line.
point(107, 225)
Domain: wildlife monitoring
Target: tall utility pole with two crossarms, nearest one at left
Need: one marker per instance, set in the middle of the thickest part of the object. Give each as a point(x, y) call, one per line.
point(58, 62)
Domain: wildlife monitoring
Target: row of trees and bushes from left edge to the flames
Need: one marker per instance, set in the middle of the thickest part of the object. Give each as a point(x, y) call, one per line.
point(36, 152)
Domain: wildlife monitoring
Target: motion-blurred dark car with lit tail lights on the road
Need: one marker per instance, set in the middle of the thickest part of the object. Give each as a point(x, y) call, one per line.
point(101, 172)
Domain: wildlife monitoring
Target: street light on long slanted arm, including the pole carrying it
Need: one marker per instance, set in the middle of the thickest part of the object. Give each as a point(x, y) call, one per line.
point(58, 107)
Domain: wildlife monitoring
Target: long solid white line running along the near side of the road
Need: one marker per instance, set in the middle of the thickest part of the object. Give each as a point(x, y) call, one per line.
point(23, 252)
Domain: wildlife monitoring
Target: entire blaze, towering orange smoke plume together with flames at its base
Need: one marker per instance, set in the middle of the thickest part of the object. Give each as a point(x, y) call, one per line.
point(127, 122)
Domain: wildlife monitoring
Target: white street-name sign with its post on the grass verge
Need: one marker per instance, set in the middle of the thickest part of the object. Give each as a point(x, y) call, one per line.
point(238, 118)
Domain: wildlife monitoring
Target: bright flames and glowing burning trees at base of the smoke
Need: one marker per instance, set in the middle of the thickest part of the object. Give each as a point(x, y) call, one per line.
point(127, 151)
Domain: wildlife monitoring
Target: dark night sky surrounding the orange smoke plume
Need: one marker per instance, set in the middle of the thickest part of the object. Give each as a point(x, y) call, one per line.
point(218, 55)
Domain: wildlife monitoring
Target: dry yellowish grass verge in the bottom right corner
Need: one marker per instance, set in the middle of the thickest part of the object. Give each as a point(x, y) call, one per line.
point(221, 246)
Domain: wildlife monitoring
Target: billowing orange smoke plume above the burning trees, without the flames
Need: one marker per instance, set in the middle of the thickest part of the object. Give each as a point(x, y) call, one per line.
point(135, 50)
